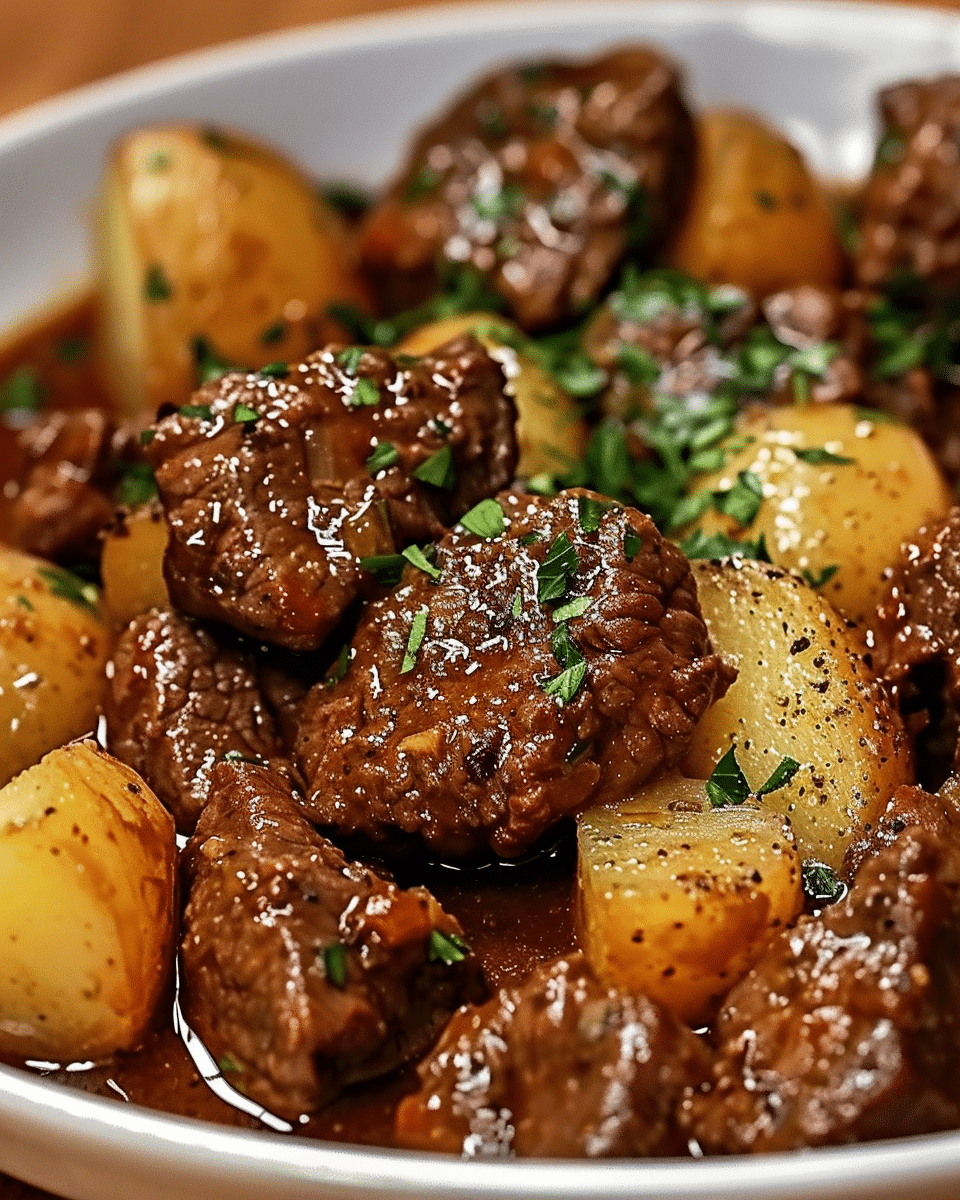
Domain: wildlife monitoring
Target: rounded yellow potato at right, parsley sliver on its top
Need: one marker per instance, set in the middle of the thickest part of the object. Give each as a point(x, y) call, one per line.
point(838, 523)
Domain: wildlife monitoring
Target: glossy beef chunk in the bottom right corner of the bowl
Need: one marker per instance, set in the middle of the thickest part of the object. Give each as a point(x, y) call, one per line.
point(847, 1029)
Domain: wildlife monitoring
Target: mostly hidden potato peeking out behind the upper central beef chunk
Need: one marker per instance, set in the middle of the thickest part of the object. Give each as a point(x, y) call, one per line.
point(551, 433)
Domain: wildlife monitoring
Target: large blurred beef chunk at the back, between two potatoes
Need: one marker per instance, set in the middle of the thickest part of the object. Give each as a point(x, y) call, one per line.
point(541, 178)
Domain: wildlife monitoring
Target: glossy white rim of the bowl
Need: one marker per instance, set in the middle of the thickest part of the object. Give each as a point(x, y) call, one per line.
point(224, 1154)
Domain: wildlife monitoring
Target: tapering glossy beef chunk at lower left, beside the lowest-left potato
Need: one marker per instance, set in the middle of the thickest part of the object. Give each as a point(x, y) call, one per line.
point(307, 971)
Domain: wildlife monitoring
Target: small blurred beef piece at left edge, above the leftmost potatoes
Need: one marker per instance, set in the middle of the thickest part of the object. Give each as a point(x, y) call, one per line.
point(69, 475)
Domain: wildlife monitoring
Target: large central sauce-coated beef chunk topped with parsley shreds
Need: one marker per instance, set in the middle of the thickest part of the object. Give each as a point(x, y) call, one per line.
point(557, 664)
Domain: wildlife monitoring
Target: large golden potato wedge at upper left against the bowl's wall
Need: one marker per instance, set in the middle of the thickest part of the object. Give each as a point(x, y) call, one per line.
point(207, 236)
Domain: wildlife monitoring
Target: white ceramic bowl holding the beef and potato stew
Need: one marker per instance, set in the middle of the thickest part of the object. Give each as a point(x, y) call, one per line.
point(341, 99)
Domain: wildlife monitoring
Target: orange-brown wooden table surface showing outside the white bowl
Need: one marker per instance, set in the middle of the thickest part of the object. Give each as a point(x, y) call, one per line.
point(57, 45)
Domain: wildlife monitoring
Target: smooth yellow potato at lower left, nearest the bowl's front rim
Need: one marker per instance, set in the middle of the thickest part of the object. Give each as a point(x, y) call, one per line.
point(88, 862)
